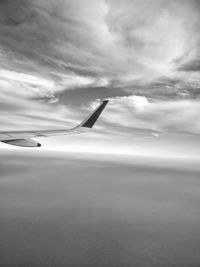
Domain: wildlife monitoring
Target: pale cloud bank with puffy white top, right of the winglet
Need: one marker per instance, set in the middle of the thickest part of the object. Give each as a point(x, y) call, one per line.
point(135, 112)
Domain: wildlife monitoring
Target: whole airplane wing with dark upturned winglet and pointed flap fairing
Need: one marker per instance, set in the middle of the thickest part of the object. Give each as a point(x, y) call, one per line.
point(23, 138)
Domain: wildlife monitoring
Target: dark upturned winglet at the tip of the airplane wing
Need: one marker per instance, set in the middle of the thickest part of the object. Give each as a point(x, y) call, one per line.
point(90, 121)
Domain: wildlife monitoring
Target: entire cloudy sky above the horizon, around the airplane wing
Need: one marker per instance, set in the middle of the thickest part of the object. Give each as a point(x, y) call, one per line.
point(59, 58)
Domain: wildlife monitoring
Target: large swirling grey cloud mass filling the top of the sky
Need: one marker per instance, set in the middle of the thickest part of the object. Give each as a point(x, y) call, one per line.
point(127, 41)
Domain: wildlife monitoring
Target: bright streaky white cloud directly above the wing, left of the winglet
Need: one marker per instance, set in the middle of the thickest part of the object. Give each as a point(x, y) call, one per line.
point(19, 109)
